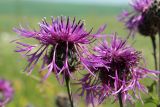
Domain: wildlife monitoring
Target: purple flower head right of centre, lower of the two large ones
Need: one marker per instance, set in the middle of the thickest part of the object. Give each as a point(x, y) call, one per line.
point(118, 70)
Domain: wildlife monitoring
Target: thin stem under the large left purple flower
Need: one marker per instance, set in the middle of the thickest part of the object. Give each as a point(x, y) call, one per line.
point(67, 79)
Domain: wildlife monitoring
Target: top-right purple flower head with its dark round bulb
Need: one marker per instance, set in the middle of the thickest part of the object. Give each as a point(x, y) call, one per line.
point(143, 18)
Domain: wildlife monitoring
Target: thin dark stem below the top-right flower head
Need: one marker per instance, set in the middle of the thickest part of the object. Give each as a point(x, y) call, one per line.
point(154, 51)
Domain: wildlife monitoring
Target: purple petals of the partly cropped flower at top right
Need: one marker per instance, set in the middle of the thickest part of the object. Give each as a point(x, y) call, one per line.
point(133, 19)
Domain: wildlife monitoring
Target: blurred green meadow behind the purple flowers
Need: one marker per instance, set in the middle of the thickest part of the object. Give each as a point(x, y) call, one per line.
point(29, 92)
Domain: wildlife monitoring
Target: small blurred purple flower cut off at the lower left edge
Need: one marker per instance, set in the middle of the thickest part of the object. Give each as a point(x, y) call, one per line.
point(6, 92)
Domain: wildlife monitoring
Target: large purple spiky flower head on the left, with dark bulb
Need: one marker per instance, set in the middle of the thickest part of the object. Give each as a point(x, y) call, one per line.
point(60, 45)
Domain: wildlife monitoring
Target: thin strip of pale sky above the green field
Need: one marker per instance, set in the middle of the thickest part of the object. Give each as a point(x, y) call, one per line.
point(90, 1)
